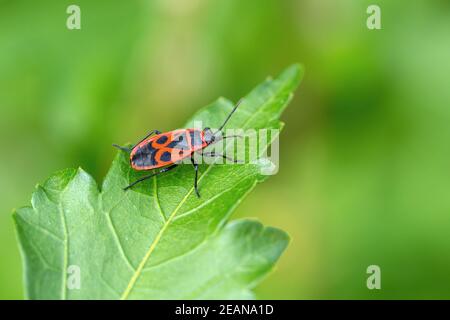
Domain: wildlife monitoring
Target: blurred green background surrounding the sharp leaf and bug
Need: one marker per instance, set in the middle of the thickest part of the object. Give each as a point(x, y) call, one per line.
point(364, 171)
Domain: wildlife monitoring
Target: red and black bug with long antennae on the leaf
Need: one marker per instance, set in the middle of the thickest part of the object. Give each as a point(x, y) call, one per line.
point(165, 151)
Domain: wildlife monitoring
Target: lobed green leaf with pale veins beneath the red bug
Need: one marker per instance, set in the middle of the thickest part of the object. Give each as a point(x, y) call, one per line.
point(158, 240)
